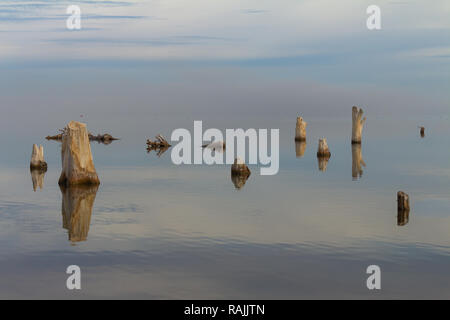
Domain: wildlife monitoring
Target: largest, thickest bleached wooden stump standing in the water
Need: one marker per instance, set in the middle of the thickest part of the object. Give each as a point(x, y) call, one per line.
point(77, 164)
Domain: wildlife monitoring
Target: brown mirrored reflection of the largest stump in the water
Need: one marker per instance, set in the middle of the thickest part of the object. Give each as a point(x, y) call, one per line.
point(77, 204)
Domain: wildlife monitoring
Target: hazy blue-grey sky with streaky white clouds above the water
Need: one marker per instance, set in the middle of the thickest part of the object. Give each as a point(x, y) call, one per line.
point(271, 56)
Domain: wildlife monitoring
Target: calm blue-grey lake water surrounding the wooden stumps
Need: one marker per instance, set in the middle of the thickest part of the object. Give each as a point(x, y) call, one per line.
point(157, 230)
